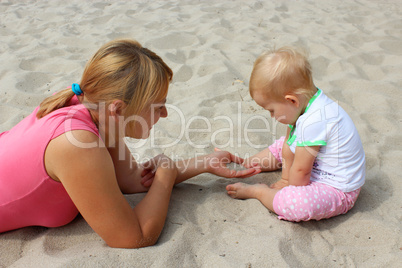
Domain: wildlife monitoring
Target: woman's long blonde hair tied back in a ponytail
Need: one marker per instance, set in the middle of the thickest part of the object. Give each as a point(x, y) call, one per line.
point(120, 69)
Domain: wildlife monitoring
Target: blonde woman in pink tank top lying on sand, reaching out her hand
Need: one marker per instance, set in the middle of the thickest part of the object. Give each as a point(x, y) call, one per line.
point(69, 156)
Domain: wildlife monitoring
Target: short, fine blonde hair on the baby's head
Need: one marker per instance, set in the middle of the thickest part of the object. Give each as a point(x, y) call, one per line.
point(282, 71)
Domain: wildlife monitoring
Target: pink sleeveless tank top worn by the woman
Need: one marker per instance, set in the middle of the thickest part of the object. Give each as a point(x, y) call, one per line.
point(28, 196)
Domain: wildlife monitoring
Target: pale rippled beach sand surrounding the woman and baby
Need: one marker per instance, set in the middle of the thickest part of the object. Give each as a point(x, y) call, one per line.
point(355, 49)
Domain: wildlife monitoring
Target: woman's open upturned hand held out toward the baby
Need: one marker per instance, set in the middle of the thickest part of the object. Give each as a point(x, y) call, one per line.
point(217, 164)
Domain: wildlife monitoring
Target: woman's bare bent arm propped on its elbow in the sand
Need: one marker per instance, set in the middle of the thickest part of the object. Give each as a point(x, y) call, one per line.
point(88, 175)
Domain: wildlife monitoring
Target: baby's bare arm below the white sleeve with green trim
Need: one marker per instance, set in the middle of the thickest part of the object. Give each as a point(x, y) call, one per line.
point(300, 170)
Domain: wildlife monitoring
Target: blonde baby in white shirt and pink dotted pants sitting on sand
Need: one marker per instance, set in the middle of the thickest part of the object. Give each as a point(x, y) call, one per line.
point(322, 157)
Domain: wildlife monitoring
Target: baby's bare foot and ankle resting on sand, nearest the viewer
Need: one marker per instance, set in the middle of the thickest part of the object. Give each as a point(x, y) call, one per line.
point(258, 191)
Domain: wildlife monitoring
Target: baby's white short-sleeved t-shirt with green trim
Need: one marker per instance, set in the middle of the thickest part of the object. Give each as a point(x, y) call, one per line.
point(340, 162)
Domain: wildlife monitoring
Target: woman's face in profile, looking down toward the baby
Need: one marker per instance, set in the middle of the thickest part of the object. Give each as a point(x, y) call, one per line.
point(149, 116)
